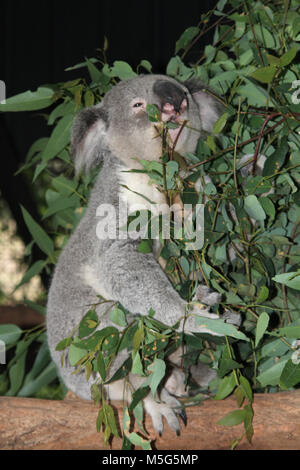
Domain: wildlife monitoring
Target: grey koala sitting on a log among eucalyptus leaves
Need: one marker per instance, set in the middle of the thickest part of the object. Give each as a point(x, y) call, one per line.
point(117, 134)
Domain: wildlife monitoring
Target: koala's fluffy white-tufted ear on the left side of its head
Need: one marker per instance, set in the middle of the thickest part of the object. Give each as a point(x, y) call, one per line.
point(88, 137)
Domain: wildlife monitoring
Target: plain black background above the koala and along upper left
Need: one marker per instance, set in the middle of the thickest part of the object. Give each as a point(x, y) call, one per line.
point(39, 39)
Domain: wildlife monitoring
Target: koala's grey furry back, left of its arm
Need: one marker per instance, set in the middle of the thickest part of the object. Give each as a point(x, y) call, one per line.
point(72, 292)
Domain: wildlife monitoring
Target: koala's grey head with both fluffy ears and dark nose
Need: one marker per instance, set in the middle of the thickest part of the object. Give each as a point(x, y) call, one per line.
point(120, 123)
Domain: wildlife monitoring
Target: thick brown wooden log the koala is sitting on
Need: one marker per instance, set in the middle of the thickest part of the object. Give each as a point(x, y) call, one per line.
point(28, 423)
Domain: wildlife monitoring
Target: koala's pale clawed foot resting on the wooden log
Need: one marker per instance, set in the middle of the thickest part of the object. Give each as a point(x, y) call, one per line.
point(169, 407)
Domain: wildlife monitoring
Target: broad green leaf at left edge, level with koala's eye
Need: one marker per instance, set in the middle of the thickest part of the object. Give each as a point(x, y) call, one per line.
point(29, 100)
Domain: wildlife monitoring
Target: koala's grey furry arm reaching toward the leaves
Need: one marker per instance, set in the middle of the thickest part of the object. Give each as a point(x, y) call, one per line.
point(137, 281)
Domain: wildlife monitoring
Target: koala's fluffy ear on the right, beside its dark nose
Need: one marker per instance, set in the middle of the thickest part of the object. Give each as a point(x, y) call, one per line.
point(209, 105)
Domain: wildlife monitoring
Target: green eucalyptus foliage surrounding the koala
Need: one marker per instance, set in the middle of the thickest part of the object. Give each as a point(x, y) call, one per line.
point(251, 248)
